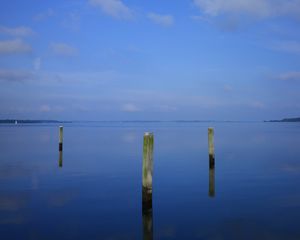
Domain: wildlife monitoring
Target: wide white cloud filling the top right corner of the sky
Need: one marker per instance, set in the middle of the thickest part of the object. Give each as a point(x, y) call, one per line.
point(255, 8)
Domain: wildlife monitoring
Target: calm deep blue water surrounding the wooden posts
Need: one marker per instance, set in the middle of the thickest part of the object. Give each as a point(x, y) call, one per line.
point(96, 194)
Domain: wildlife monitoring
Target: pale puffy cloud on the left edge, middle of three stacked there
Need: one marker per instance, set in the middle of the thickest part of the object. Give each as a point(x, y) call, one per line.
point(14, 46)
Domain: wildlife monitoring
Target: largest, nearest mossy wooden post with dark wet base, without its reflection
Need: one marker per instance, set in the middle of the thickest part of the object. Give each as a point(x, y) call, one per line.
point(147, 170)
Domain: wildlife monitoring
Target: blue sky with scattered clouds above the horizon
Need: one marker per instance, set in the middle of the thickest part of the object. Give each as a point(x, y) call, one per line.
point(150, 60)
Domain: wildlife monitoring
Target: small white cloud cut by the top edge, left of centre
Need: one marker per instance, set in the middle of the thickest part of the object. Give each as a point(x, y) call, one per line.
point(114, 8)
